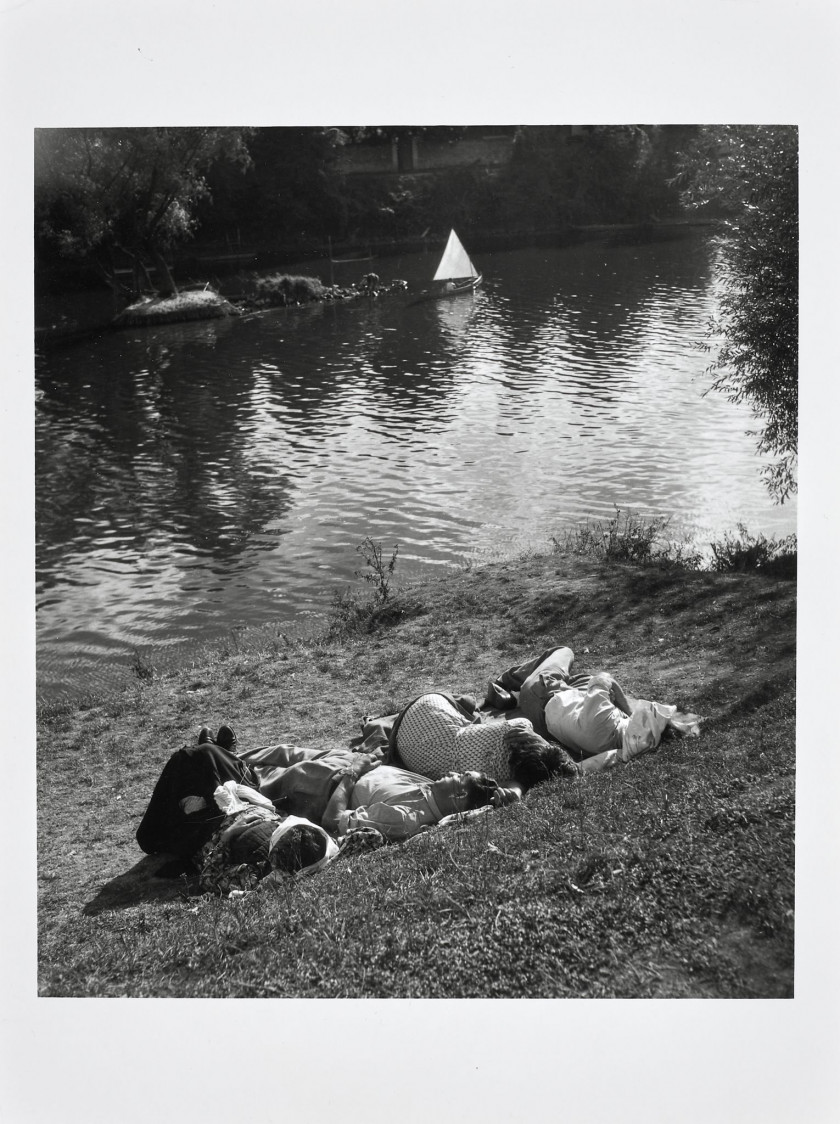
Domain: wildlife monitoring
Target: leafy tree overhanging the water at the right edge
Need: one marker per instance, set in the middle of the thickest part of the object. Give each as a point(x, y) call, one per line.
point(749, 177)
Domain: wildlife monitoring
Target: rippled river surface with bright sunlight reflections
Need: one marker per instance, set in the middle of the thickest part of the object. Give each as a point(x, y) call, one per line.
point(196, 478)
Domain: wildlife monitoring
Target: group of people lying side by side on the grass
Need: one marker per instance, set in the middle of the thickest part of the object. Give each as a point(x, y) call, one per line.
point(242, 819)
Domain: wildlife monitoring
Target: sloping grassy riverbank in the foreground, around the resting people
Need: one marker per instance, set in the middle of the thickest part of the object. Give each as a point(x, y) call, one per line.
point(673, 876)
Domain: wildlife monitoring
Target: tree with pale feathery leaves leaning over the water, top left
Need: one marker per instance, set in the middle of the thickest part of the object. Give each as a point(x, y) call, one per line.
point(134, 191)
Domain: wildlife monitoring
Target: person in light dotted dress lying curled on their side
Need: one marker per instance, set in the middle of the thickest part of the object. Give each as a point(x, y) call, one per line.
point(435, 737)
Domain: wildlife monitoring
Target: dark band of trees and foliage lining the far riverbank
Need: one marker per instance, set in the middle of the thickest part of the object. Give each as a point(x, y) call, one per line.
point(114, 197)
